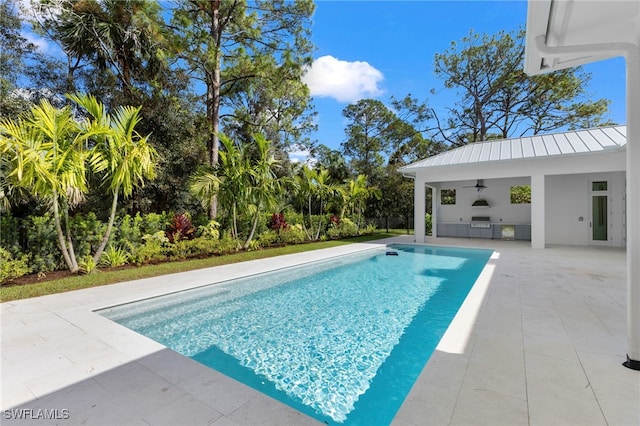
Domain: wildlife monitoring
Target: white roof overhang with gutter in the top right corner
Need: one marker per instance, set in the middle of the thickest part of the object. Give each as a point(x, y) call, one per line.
point(568, 33)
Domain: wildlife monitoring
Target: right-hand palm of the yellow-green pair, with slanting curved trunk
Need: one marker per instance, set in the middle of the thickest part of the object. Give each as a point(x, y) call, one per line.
point(122, 157)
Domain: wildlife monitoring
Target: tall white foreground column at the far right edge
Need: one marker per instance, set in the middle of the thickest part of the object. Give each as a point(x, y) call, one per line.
point(633, 210)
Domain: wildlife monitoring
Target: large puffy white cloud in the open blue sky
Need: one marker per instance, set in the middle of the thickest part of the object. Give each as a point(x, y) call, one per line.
point(342, 80)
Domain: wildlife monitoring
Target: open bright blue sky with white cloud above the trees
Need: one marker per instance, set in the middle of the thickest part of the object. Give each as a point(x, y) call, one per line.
point(375, 49)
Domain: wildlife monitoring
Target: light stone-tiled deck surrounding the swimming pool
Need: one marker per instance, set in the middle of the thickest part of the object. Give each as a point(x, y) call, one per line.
point(539, 341)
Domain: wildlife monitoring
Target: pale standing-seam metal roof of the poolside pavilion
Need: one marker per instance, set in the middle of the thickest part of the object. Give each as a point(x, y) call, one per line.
point(539, 146)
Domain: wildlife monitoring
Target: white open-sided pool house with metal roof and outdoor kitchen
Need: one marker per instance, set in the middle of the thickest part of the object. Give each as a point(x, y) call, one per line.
point(577, 182)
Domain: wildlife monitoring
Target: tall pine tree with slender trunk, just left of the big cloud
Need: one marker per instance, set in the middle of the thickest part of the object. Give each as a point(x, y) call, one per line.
point(250, 57)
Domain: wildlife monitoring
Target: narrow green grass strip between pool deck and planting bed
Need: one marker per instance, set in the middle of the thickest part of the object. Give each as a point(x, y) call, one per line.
point(111, 276)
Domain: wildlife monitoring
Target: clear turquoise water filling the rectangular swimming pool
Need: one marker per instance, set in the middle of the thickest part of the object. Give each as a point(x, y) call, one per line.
point(341, 340)
